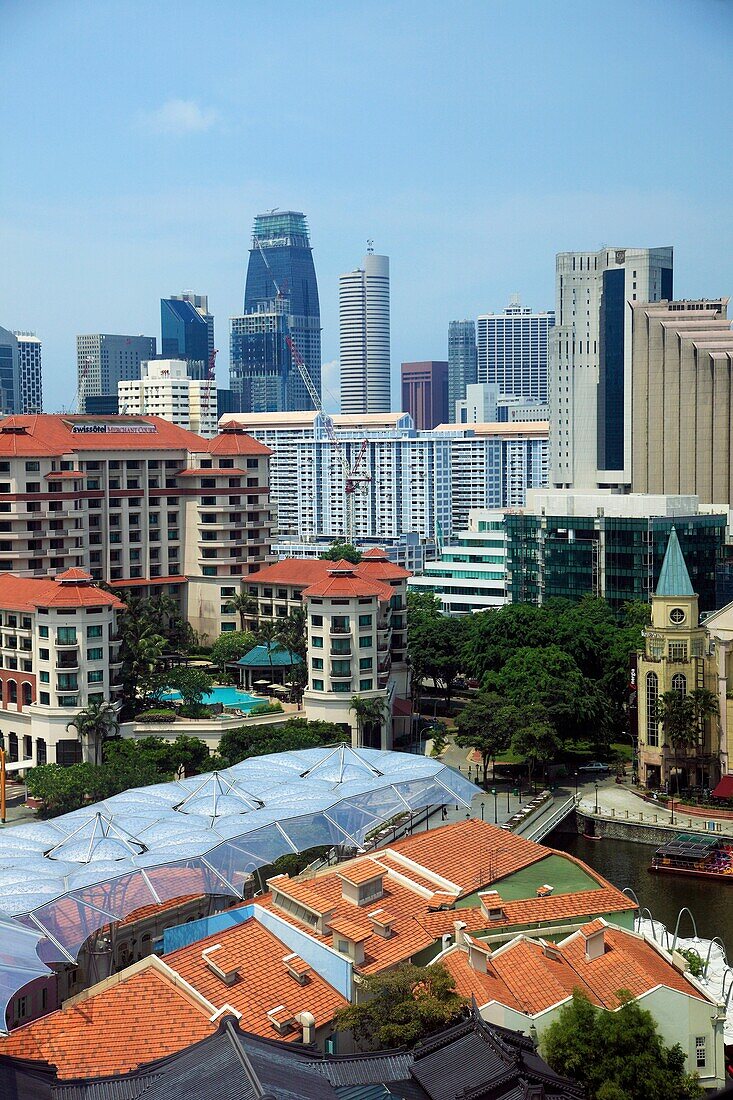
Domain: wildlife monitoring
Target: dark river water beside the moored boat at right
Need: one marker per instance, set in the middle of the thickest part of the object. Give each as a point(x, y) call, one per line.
point(627, 865)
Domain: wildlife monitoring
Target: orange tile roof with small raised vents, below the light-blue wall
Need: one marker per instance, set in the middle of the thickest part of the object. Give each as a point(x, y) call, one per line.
point(262, 984)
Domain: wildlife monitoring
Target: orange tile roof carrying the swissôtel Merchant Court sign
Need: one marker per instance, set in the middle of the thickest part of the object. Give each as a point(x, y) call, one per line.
point(51, 434)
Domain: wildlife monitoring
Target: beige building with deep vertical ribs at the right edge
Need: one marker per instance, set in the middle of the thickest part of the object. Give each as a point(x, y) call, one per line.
point(683, 402)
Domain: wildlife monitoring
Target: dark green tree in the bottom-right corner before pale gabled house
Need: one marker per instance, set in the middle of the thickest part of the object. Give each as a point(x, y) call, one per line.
point(617, 1055)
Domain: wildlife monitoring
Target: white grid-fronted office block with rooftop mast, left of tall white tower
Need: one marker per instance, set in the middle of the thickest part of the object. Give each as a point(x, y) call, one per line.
point(512, 351)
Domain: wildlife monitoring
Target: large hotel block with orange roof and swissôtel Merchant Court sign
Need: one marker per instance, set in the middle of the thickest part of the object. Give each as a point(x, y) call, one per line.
point(138, 503)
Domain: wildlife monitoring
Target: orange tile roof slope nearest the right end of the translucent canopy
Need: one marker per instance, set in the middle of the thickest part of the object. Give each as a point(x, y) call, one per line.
point(473, 854)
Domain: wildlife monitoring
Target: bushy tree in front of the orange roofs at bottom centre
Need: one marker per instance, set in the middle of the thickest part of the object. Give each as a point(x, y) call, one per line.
point(402, 1007)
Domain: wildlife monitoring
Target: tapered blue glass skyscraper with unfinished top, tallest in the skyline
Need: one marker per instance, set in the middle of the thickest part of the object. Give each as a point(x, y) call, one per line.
point(281, 301)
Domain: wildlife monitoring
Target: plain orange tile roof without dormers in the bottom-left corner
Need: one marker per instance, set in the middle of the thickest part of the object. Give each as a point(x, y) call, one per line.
point(143, 1018)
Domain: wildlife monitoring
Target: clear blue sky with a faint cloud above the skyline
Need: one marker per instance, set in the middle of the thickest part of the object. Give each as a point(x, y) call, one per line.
point(472, 141)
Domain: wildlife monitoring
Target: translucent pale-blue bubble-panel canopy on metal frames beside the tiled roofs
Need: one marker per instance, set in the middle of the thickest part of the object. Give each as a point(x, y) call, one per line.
point(63, 879)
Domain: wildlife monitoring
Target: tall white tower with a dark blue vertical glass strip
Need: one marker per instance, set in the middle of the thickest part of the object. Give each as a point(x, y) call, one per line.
point(590, 362)
